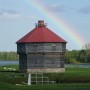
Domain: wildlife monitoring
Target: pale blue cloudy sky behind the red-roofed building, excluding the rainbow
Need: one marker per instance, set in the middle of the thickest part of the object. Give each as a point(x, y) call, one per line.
point(18, 17)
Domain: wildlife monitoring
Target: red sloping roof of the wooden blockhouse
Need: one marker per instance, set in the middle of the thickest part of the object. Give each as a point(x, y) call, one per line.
point(41, 34)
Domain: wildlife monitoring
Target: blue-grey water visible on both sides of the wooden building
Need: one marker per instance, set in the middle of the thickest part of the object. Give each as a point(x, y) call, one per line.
point(4, 63)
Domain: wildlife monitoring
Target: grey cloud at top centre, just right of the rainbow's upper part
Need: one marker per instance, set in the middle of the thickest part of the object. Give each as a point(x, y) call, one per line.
point(55, 8)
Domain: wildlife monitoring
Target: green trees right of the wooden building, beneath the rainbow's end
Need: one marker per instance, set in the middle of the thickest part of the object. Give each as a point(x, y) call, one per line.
point(77, 56)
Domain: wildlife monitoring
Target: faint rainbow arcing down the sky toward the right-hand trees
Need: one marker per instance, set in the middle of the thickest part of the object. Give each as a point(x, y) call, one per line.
point(63, 26)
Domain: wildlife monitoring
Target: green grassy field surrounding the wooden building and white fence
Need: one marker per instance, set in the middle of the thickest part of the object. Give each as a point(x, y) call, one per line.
point(72, 79)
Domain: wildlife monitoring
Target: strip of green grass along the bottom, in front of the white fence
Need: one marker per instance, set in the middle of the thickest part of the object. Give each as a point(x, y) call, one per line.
point(5, 86)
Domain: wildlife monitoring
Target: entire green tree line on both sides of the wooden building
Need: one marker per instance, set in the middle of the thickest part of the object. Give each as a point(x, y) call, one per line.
point(74, 56)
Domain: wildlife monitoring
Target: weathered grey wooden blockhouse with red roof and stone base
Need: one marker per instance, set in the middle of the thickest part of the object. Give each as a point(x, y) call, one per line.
point(41, 50)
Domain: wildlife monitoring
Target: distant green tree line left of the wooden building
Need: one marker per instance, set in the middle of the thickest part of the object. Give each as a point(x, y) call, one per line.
point(9, 56)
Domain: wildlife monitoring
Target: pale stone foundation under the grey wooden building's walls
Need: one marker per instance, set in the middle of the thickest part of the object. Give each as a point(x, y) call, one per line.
point(46, 70)
